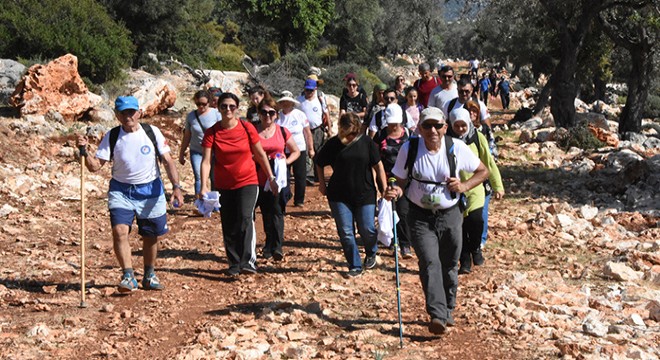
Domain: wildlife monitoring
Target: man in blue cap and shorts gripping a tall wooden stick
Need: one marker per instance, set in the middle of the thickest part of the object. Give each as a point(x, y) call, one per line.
point(136, 189)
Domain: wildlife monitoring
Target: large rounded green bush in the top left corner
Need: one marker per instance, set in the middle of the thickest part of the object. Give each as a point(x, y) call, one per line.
point(52, 28)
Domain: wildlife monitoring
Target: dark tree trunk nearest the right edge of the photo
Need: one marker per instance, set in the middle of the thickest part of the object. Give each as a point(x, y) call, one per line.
point(638, 89)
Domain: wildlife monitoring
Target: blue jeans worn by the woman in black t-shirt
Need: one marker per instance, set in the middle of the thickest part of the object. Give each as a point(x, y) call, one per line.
point(345, 216)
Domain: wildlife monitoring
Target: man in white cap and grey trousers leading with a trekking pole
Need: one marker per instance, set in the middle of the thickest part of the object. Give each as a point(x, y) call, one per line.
point(435, 220)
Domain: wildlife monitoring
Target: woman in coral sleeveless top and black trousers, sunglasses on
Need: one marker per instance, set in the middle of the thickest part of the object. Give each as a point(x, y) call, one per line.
point(274, 139)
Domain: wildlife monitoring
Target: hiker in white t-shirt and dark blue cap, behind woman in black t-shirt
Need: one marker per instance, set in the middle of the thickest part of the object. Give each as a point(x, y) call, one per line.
point(314, 104)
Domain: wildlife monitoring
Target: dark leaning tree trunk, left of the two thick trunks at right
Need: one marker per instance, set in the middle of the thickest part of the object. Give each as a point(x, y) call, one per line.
point(564, 84)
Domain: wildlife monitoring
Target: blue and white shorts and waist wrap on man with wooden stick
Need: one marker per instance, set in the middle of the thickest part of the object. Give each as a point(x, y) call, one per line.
point(146, 202)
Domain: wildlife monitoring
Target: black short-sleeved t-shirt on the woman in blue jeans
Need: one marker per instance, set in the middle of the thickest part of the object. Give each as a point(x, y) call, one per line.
point(352, 181)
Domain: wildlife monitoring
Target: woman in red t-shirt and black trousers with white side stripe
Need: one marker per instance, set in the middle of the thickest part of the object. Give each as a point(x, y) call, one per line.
point(234, 143)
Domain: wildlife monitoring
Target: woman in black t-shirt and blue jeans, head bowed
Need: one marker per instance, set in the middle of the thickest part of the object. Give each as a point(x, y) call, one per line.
point(351, 190)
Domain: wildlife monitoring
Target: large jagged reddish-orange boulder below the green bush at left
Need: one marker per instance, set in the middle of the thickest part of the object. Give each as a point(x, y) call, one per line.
point(57, 86)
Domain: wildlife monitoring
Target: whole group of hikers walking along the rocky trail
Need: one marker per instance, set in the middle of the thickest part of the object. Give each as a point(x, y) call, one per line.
point(433, 137)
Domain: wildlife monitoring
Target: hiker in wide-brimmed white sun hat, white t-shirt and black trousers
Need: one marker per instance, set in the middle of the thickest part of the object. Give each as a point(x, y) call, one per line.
point(296, 122)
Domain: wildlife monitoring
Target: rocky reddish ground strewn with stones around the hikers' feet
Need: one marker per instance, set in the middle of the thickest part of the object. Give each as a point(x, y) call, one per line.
point(570, 272)
